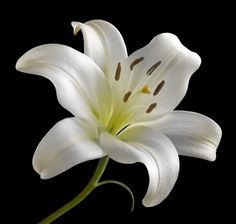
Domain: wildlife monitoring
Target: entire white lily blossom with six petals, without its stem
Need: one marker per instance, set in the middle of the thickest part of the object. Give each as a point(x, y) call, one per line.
point(123, 106)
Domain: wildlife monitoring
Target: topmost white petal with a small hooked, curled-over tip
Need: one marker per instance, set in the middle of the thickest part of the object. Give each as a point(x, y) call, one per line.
point(103, 43)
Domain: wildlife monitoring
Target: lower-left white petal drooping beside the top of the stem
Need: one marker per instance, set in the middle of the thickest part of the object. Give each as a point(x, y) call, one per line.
point(67, 144)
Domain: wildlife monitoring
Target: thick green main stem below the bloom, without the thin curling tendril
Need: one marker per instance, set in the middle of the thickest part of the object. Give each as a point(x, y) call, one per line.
point(93, 183)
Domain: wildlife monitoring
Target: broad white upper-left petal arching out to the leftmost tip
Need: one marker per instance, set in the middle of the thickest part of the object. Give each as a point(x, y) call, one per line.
point(79, 82)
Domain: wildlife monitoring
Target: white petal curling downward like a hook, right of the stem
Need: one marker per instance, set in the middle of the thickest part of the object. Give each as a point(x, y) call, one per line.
point(155, 151)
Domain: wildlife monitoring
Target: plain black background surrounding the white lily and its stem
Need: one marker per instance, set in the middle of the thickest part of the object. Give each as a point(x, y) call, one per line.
point(204, 190)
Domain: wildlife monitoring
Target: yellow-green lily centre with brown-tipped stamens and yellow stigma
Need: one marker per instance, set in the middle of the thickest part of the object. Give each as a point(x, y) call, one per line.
point(129, 105)
